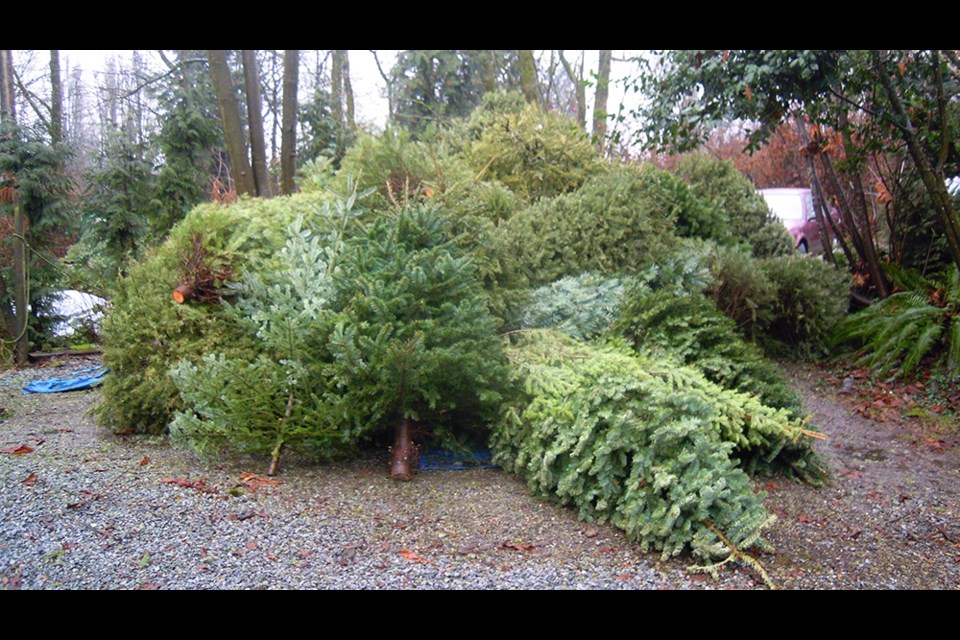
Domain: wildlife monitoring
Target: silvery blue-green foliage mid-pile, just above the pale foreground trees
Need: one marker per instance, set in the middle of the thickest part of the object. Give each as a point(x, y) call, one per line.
point(582, 307)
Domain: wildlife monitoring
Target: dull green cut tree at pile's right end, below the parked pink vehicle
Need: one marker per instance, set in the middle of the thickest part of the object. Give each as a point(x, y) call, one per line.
point(810, 298)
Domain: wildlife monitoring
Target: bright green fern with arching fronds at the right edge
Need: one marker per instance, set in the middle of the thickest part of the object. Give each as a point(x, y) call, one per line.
point(897, 333)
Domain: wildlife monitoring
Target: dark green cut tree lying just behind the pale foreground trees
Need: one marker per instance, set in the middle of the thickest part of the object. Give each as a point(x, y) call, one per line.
point(688, 326)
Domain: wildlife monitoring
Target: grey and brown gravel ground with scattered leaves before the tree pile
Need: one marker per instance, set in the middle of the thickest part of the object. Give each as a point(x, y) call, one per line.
point(87, 510)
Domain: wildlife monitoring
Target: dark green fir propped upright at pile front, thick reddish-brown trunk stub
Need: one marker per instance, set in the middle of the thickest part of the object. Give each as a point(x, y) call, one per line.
point(415, 345)
